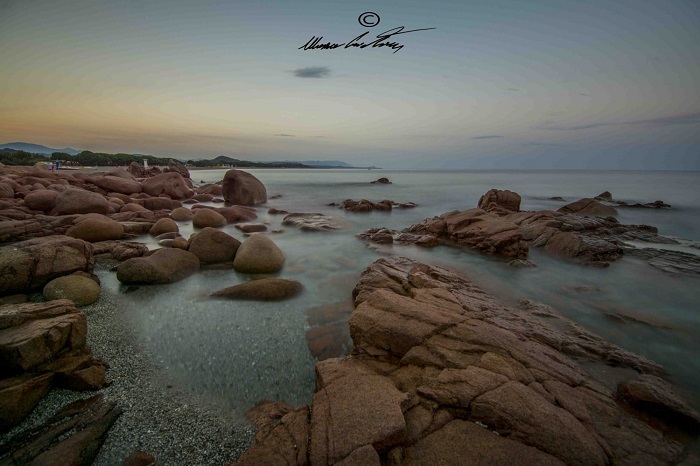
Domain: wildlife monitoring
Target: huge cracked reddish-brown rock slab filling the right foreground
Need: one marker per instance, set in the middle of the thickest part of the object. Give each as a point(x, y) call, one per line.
point(441, 373)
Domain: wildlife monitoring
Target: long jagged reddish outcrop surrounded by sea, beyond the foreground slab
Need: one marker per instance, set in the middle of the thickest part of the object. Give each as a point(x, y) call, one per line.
point(584, 231)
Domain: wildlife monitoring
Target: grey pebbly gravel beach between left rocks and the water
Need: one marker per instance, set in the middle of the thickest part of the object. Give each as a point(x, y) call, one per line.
point(175, 426)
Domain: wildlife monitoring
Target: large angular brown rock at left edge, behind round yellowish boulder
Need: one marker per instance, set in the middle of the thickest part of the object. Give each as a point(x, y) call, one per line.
point(29, 265)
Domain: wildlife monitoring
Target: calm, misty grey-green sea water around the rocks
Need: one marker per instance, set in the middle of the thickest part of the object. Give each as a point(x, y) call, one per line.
point(238, 353)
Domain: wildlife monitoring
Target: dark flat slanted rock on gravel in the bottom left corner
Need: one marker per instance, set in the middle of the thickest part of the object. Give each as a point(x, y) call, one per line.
point(72, 437)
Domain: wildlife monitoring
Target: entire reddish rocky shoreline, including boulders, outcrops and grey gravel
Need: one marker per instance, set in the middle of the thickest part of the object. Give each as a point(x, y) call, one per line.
point(436, 362)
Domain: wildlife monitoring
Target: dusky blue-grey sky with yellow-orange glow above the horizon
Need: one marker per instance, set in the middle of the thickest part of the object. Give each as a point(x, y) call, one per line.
point(506, 84)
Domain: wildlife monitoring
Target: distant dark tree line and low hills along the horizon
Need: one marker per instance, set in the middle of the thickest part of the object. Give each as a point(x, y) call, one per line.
point(102, 159)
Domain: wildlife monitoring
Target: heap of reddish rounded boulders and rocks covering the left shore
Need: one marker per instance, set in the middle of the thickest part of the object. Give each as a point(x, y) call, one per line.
point(53, 228)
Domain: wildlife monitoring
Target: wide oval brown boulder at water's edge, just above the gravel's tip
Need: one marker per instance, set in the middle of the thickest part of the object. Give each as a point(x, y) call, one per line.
point(163, 266)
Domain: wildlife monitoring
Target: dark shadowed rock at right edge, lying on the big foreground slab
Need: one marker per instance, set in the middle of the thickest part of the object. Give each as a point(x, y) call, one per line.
point(657, 397)
